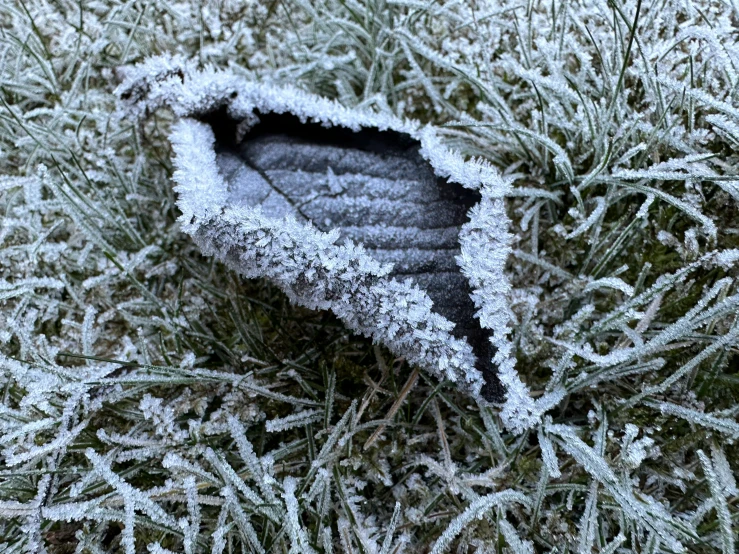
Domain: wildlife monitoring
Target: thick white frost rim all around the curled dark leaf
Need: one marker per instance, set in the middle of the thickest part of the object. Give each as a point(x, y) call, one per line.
point(307, 264)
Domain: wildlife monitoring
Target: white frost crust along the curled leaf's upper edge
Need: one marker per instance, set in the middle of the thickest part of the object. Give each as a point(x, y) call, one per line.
point(166, 80)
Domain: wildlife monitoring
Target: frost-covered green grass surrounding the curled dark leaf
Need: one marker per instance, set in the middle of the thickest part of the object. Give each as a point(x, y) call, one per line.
point(154, 401)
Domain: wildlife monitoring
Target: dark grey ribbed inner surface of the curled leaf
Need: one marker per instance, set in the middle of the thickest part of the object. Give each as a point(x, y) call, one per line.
point(384, 196)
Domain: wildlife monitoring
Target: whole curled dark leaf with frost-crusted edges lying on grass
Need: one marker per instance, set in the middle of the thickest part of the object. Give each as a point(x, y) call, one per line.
point(350, 211)
